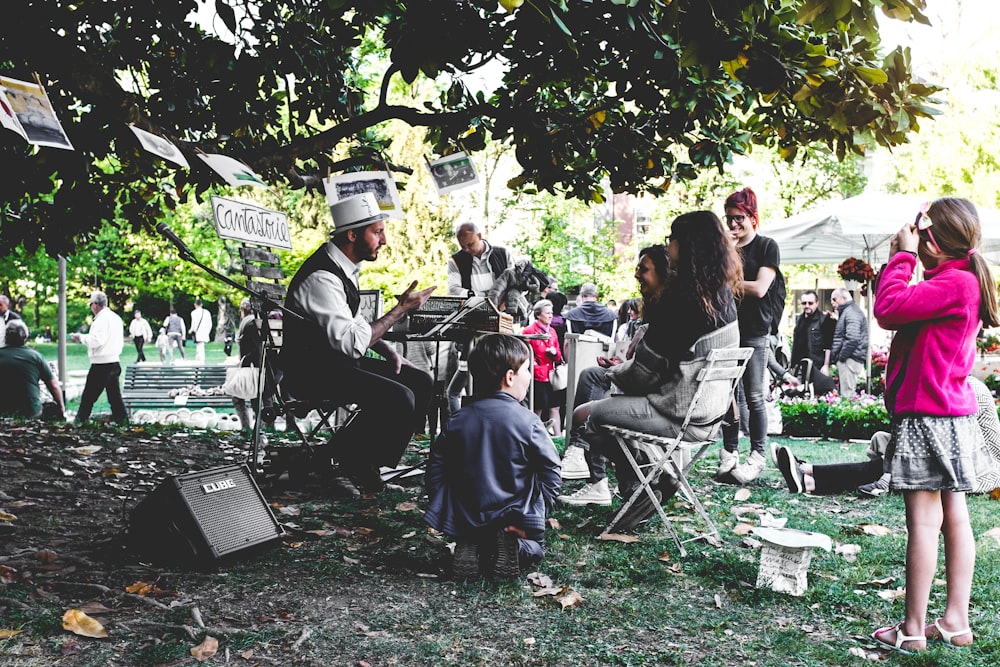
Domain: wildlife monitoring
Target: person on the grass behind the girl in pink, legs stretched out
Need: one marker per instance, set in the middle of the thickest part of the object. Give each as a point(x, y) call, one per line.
point(868, 476)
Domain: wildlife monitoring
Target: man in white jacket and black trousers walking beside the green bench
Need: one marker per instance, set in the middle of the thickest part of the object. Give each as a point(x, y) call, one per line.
point(104, 342)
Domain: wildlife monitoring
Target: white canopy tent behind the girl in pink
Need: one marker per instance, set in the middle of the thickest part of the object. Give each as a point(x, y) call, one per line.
point(861, 227)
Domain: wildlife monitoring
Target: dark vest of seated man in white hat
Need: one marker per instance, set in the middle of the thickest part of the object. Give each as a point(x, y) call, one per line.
point(305, 345)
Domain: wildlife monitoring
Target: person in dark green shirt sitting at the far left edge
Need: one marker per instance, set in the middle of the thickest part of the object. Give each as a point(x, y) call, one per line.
point(21, 368)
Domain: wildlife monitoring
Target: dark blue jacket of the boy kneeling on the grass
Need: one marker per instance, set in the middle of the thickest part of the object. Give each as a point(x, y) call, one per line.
point(493, 465)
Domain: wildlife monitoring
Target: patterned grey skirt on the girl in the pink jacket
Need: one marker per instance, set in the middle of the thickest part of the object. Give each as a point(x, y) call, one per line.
point(937, 453)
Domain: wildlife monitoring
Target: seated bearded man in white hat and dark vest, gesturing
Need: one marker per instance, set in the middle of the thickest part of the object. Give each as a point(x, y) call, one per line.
point(323, 356)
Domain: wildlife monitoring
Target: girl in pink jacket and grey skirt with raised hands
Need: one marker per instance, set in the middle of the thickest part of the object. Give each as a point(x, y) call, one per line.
point(937, 449)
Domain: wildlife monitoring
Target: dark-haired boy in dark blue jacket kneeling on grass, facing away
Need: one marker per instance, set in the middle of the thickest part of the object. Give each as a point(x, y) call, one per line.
point(494, 474)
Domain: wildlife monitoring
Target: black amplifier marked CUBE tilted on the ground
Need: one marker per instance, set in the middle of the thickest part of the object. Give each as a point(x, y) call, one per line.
point(204, 517)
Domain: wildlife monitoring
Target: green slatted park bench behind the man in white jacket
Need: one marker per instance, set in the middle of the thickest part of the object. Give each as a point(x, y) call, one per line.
point(156, 387)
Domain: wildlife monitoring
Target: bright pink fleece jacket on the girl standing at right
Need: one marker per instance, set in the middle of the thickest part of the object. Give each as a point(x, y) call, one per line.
point(936, 322)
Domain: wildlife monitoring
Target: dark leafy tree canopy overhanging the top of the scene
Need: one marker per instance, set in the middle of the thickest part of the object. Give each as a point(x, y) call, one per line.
point(638, 92)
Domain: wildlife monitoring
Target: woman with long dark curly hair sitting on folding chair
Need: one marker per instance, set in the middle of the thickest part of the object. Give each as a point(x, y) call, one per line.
point(694, 312)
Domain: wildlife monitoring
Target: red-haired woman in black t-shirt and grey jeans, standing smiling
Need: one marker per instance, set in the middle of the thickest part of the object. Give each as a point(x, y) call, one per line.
point(760, 267)
